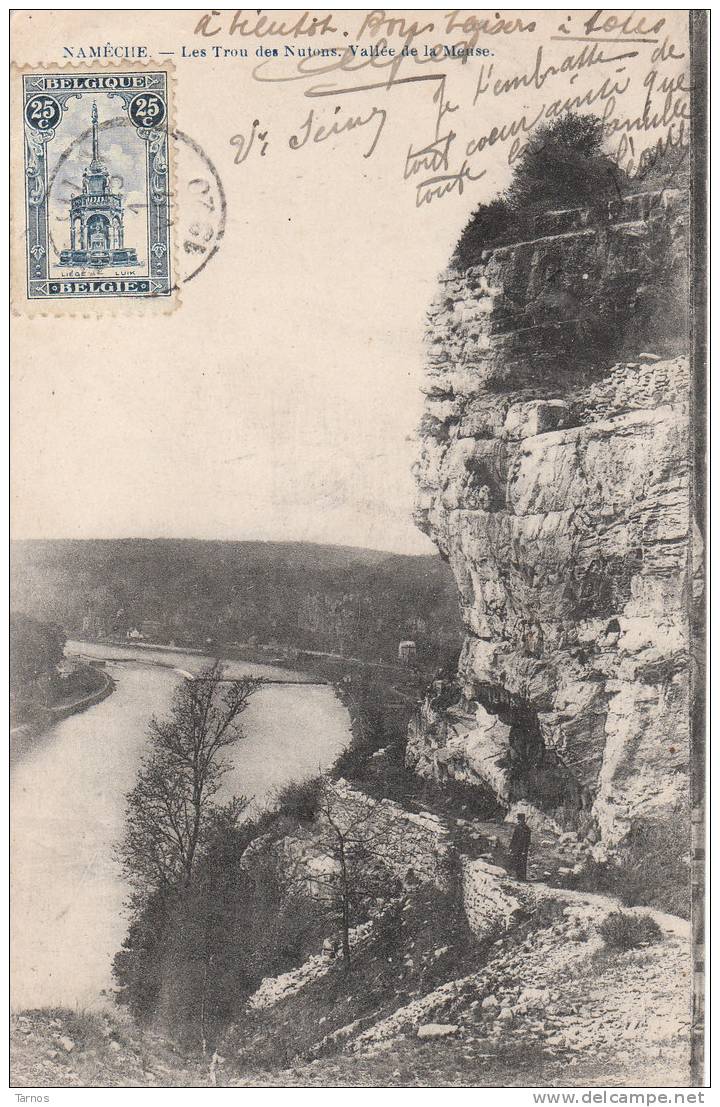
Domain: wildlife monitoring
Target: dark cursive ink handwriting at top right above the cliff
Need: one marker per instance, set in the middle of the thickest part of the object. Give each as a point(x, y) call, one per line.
point(624, 68)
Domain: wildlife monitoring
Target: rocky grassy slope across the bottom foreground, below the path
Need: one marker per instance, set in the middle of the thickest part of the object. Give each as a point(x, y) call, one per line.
point(606, 1019)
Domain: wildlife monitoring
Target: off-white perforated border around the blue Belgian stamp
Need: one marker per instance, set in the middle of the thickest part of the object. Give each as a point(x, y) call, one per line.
point(84, 308)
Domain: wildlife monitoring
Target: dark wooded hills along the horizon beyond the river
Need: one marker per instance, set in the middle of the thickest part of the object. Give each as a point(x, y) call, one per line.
point(334, 598)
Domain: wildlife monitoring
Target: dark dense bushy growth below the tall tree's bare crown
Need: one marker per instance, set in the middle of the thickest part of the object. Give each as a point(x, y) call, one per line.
point(193, 956)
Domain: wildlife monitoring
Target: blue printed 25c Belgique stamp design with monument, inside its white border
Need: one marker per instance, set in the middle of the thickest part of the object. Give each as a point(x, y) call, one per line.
point(98, 189)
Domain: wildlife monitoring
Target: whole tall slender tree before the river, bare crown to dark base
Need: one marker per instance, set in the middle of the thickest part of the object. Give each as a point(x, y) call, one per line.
point(176, 832)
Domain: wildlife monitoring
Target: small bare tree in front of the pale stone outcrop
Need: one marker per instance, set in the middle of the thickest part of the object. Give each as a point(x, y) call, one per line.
point(349, 868)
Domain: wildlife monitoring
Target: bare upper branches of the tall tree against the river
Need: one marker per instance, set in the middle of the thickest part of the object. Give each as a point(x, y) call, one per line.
point(172, 808)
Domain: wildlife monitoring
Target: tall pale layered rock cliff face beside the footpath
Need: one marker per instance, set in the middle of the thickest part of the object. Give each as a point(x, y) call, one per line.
point(554, 478)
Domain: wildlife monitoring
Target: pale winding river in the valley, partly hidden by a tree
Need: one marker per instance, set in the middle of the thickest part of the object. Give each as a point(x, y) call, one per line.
point(68, 805)
